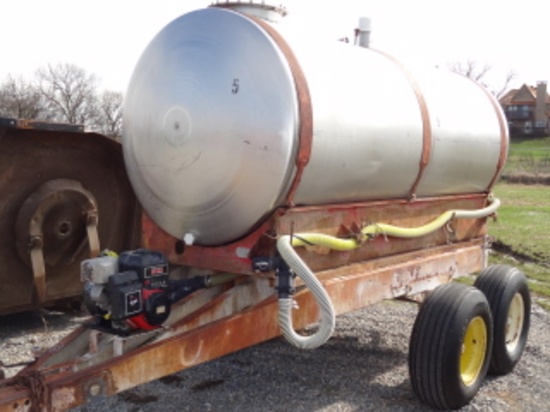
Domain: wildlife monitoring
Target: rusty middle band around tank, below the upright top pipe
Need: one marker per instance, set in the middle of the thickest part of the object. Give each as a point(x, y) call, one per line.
point(426, 125)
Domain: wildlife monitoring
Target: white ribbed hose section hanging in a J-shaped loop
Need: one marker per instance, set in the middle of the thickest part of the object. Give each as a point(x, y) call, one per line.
point(328, 317)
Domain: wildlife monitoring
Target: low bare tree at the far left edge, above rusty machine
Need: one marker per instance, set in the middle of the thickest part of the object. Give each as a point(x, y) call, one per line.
point(21, 100)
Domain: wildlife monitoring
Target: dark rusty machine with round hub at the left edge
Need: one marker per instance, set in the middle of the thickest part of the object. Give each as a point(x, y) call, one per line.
point(58, 188)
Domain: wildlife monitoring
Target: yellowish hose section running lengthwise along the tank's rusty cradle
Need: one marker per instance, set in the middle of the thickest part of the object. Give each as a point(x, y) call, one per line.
point(335, 243)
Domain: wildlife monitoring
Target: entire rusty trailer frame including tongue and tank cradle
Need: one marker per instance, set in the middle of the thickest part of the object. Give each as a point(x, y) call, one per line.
point(218, 321)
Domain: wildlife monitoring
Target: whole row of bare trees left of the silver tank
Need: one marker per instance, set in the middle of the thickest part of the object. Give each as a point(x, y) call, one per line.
point(63, 93)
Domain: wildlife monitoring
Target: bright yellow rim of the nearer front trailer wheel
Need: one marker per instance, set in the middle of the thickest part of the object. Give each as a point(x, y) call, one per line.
point(474, 348)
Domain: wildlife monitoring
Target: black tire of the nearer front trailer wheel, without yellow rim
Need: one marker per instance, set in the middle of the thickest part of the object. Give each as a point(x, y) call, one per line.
point(436, 345)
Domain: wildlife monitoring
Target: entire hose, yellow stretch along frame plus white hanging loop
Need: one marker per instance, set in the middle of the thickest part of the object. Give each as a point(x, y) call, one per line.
point(326, 326)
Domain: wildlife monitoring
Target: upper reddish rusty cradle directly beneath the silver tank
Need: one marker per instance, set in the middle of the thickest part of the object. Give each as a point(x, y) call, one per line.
point(340, 220)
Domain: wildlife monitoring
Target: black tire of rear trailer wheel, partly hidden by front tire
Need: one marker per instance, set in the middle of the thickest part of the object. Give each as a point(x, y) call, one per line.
point(500, 283)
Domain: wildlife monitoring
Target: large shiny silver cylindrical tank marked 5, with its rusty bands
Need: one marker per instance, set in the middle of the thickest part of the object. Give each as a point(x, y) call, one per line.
point(221, 107)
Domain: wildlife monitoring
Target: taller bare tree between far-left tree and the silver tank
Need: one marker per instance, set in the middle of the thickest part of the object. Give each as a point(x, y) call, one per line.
point(69, 93)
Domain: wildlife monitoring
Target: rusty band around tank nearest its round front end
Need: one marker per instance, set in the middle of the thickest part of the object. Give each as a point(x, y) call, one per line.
point(305, 113)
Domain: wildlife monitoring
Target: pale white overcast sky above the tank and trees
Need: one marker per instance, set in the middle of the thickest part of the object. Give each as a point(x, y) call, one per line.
point(107, 37)
